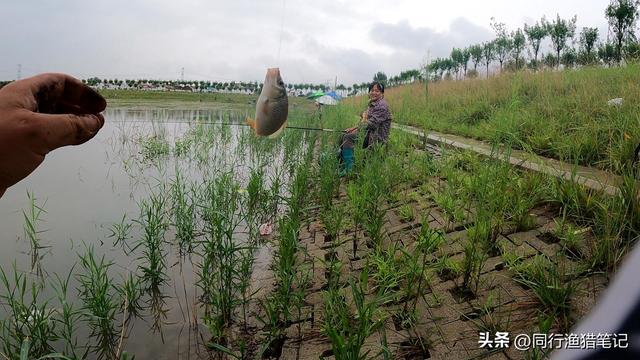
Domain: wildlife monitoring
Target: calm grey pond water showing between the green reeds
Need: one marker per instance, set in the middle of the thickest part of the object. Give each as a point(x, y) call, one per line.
point(85, 190)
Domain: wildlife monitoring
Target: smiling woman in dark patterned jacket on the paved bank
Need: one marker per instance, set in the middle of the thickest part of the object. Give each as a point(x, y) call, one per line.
point(376, 120)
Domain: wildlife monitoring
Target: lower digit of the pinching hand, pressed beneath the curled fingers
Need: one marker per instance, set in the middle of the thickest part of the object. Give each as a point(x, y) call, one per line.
point(67, 129)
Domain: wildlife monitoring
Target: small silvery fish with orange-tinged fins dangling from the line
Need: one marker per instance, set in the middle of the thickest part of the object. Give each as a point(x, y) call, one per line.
point(272, 107)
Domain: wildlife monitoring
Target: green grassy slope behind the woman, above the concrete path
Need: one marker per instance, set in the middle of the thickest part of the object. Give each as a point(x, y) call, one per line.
point(562, 115)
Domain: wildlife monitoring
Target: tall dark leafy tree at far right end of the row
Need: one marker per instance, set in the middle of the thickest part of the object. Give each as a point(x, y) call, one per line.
point(622, 15)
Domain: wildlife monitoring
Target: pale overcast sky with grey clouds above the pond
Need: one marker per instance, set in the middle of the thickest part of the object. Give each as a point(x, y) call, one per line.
point(311, 41)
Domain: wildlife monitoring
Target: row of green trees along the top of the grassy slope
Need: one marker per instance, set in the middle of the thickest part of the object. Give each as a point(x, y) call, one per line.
point(509, 49)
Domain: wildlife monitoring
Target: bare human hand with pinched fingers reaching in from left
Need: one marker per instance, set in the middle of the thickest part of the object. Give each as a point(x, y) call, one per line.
point(40, 114)
